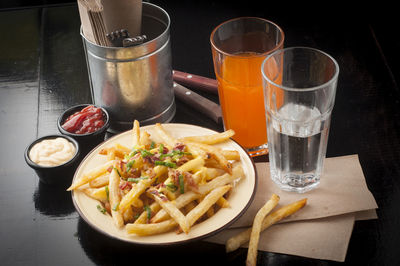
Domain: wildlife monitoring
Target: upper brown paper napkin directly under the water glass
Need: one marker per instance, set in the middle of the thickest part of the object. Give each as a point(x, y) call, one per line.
point(342, 190)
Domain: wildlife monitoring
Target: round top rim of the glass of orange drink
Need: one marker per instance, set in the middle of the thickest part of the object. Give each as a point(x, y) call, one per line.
point(255, 55)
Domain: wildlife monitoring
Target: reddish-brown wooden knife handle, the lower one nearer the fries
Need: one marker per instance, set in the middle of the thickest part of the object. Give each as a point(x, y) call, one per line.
point(198, 102)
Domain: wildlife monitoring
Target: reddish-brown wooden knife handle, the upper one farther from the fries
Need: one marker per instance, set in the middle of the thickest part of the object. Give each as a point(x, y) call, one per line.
point(195, 81)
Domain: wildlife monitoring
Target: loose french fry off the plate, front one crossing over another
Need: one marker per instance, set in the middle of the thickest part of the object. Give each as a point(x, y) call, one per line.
point(256, 229)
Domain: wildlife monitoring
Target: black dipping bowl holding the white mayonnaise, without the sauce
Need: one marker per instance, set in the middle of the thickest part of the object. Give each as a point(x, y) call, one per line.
point(60, 175)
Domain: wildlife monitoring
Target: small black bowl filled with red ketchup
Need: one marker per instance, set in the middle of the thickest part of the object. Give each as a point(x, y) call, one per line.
point(86, 123)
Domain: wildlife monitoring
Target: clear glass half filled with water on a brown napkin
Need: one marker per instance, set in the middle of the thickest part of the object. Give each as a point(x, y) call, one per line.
point(299, 95)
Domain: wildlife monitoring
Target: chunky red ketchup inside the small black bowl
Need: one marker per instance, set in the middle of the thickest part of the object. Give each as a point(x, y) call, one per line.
point(88, 120)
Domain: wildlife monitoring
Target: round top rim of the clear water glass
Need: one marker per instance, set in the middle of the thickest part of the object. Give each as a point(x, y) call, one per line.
point(331, 80)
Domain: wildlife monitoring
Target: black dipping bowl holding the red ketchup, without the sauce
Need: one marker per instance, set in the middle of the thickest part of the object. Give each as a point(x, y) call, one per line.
point(86, 141)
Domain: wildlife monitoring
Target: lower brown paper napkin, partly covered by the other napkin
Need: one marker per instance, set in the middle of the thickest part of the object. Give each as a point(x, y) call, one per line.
point(324, 238)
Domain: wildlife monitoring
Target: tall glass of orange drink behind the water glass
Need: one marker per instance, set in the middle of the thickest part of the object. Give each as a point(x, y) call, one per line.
point(239, 46)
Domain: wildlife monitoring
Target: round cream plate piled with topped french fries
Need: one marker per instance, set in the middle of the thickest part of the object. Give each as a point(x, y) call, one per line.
point(164, 184)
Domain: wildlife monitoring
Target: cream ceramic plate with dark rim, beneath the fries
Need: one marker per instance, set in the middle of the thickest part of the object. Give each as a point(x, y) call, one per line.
point(239, 199)
